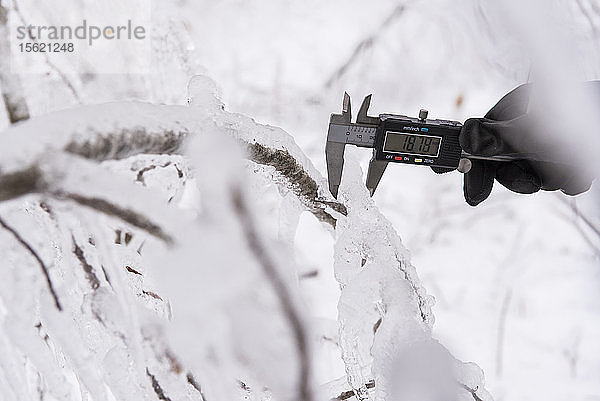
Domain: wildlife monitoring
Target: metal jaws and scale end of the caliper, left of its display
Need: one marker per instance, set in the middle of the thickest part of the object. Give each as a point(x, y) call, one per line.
point(362, 133)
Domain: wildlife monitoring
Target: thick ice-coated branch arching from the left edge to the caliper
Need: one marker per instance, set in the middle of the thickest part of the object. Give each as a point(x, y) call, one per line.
point(119, 130)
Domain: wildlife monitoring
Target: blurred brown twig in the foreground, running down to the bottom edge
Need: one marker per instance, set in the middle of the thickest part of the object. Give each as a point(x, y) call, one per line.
point(290, 311)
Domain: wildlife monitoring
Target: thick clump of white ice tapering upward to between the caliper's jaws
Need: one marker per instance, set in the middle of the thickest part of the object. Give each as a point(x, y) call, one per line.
point(385, 313)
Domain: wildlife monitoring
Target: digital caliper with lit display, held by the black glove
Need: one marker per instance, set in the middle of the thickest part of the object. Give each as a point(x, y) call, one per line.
point(396, 139)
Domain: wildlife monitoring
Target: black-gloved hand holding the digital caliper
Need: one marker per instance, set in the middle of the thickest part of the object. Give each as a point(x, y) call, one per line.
point(507, 130)
